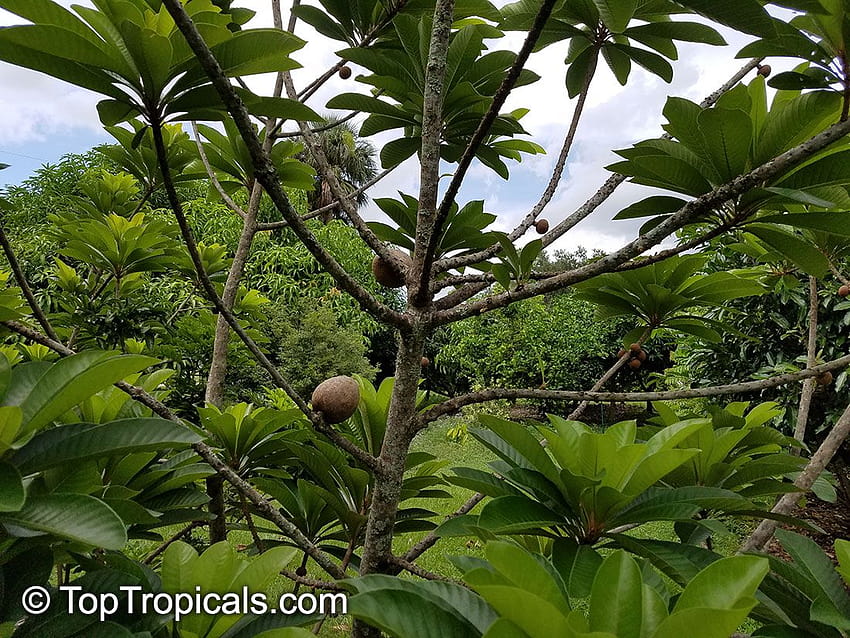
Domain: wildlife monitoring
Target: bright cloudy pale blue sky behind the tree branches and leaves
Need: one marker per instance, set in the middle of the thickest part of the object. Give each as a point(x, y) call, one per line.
point(42, 119)
